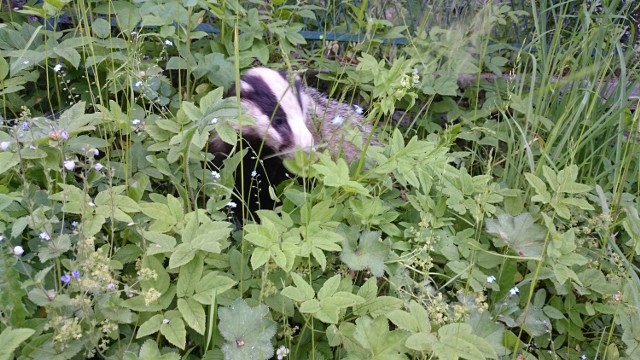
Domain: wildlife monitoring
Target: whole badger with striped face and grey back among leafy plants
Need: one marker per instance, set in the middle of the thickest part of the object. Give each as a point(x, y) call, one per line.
point(288, 116)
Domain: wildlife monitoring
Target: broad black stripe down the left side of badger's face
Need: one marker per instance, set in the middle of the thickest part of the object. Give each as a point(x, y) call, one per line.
point(266, 101)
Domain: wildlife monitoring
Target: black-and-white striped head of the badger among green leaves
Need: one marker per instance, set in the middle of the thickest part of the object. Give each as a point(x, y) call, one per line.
point(279, 108)
